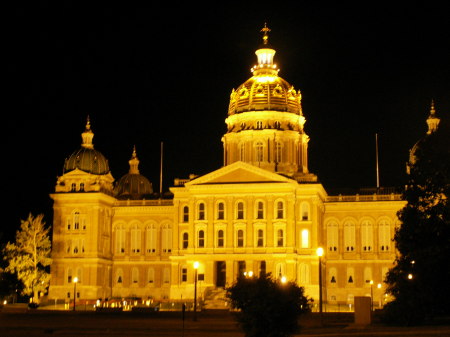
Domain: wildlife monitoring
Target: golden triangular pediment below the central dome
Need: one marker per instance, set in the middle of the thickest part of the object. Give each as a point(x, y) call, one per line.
point(238, 173)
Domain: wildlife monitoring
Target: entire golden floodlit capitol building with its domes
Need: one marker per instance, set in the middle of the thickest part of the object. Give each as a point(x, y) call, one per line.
point(263, 211)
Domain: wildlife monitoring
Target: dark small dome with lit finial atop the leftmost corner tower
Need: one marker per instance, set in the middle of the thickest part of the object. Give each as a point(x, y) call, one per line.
point(86, 158)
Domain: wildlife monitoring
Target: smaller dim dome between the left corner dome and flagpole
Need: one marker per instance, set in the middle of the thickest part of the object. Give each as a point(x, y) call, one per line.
point(133, 185)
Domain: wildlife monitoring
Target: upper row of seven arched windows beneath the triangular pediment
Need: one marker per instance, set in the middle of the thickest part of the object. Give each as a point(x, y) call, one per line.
point(240, 211)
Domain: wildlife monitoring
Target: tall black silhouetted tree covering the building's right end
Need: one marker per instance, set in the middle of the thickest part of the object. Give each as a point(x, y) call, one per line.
point(420, 280)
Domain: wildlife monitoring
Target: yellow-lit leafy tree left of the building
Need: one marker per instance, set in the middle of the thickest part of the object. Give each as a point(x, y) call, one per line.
point(29, 256)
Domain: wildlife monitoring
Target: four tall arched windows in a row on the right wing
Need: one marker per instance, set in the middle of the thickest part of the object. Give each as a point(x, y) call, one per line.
point(367, 237)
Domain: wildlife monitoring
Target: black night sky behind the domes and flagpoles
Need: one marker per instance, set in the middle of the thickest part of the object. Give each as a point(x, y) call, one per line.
point(147, 75)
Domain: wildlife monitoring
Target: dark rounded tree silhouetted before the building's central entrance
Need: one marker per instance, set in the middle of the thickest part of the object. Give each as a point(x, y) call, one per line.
point(266, 307)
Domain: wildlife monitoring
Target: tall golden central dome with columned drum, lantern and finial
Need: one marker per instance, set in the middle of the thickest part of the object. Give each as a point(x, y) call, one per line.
point(265, 121)
